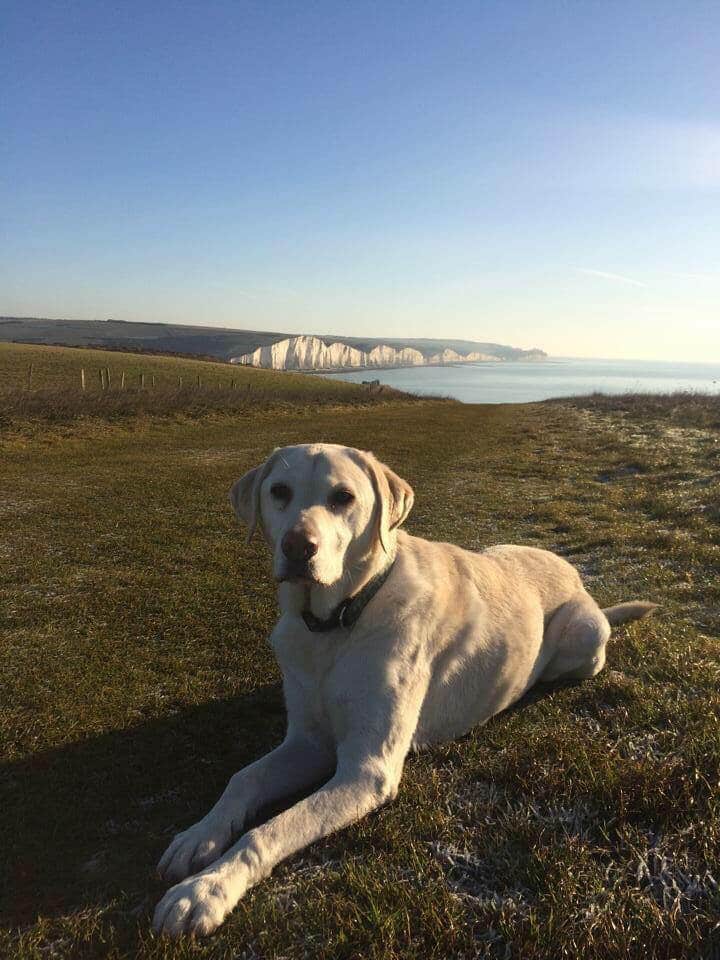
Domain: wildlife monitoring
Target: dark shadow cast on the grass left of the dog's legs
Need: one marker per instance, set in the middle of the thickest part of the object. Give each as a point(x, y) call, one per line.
point(89, 821)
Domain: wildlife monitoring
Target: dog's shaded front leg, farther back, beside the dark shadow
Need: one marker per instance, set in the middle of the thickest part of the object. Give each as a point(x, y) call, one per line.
point(295, 764)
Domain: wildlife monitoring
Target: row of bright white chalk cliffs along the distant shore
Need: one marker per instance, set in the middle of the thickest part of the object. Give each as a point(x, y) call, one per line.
point(311, 353)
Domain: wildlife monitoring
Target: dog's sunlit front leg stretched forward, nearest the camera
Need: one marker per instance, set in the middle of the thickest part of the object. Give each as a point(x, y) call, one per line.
point(367, 775)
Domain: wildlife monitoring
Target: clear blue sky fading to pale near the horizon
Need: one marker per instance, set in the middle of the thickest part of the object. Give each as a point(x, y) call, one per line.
point(535, 173)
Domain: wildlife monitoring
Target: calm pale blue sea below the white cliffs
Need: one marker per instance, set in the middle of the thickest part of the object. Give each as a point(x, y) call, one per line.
point(524, 382)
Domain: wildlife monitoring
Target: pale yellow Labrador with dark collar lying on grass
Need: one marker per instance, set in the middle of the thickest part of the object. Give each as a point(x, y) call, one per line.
point(387, 643)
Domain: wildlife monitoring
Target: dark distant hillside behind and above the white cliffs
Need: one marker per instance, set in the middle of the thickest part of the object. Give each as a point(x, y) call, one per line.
point(219, 342)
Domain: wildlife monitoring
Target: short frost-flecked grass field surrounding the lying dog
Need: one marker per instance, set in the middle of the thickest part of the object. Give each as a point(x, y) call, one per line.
point(136, 678)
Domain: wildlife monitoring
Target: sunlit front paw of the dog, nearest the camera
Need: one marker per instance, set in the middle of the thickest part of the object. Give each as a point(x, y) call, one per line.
point(198, 905)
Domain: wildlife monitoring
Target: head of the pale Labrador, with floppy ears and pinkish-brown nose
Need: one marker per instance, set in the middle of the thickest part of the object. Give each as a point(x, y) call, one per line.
point(323, 509)
